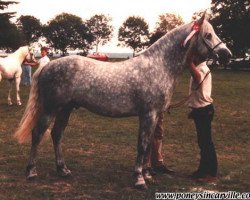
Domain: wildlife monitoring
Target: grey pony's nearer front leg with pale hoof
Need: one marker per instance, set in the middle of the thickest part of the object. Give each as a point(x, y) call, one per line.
point(146, 129)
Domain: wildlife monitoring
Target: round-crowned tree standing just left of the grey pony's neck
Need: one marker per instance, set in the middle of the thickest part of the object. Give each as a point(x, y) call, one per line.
point(134, 33)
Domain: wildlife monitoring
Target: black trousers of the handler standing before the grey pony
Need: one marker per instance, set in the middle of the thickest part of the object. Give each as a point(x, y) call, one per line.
point(208, 159)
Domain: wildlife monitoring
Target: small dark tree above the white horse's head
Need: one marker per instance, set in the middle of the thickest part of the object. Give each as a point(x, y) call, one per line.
point(31, 28)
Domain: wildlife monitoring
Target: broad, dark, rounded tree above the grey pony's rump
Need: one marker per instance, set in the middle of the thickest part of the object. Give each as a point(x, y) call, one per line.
point(67, 31)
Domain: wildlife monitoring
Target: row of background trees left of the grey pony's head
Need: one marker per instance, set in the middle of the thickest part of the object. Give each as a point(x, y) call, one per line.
point(67, 31)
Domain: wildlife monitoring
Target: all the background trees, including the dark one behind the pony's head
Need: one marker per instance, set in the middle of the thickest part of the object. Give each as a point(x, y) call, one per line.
point(67, 31)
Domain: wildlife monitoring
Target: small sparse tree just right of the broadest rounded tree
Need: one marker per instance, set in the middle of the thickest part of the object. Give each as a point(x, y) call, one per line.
point(101, 29)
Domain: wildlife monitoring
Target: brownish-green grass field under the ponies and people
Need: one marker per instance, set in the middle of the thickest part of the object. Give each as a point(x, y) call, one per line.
point(101, 151)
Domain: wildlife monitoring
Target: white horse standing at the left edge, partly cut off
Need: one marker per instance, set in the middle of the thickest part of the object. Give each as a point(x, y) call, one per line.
point(10, 68)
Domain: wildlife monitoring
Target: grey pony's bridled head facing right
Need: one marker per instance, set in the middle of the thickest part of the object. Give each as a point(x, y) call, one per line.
point(207, 43)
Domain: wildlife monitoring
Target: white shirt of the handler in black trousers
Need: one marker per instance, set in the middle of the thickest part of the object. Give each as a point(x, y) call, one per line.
point(202, 96)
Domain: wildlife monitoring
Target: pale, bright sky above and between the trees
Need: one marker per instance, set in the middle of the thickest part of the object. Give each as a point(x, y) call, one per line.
point(119, 11)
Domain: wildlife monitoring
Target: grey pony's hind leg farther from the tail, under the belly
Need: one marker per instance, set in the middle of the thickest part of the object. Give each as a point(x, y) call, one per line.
point(61, 122)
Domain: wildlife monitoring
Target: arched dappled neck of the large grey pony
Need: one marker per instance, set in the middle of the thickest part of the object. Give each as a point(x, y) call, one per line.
point(169, 49)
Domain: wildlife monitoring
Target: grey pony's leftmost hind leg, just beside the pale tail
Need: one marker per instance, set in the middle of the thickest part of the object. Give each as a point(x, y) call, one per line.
point(37, 134)
